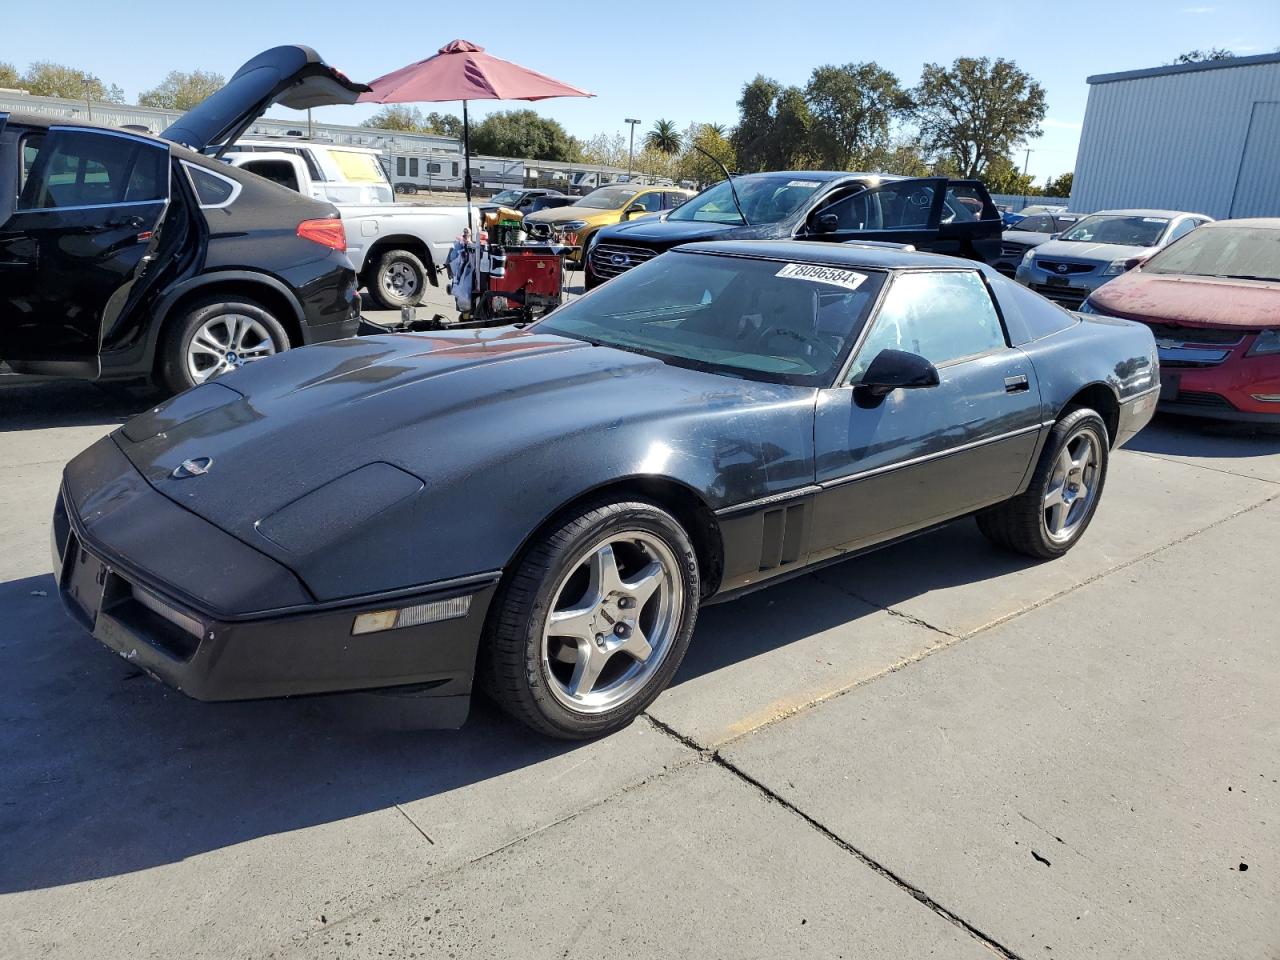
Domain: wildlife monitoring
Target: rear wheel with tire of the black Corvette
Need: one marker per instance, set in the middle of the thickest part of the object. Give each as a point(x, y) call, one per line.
point(1052, 516)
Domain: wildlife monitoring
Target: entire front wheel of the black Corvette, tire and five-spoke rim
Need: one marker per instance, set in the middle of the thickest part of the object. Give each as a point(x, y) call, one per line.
point(593, 623)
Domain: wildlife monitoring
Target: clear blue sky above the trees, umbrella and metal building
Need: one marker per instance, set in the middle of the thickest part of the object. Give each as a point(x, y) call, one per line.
point(684, 62)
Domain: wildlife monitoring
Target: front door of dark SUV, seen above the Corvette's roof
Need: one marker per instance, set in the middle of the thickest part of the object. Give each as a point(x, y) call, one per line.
point(898, 212)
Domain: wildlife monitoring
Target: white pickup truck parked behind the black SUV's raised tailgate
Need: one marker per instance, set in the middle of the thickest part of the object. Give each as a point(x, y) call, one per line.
point(396, 248)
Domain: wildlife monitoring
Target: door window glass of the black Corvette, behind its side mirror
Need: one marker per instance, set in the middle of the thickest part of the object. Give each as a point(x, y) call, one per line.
point(943, 317)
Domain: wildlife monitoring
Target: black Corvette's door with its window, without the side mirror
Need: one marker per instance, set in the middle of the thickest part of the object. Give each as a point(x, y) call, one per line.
point(922, 456)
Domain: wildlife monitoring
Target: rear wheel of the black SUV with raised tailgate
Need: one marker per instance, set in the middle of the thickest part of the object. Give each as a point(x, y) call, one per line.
point(216, 337)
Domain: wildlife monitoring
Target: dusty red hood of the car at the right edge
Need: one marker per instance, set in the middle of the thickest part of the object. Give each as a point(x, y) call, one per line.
point(1191, 301)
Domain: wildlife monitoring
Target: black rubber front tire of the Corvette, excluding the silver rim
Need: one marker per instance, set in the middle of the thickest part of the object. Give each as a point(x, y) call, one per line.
point(627, 516)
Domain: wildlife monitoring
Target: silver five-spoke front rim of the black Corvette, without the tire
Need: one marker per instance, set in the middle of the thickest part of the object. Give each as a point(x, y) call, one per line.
point(612, 623)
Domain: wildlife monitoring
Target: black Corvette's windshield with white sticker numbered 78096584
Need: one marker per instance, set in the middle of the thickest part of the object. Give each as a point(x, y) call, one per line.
point(769, 321)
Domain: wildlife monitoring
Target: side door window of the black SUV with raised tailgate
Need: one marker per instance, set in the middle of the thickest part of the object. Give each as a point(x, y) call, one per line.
point(86, 168)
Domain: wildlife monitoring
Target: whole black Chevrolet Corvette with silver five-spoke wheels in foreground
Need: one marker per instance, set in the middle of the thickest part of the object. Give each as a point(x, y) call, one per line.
point(546, 509)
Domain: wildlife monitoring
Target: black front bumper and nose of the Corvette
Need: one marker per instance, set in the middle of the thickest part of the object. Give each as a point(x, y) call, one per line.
point(112, 538)
